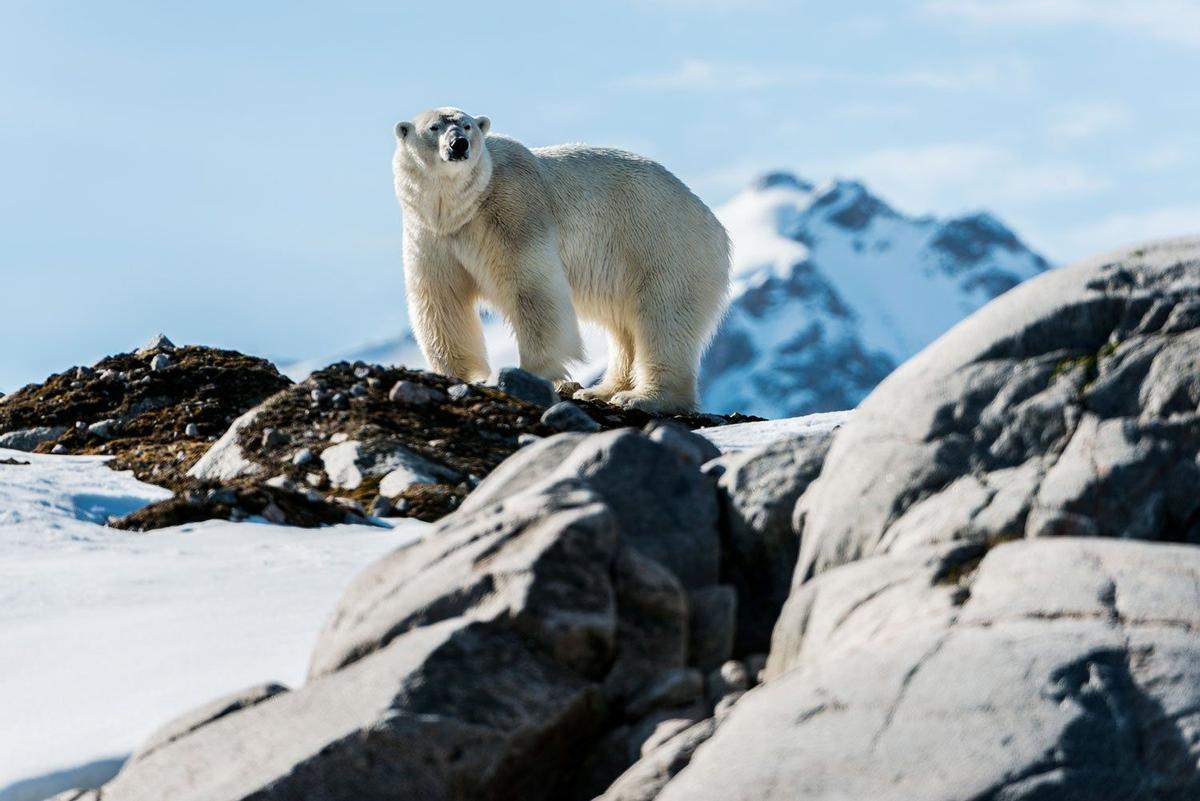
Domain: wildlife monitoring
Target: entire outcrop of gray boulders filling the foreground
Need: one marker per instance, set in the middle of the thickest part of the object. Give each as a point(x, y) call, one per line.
point(998, 598)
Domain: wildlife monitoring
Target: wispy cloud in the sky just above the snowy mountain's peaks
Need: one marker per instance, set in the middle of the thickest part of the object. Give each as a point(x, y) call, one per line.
point(950, 177)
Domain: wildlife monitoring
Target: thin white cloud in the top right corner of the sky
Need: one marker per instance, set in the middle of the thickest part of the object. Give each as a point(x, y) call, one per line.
point(1173, 21)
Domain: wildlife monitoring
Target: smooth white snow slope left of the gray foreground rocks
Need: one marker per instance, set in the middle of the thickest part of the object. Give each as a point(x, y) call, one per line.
point(107, 635)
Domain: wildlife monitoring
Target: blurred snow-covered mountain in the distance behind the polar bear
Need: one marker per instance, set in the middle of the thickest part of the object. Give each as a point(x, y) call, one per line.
point(832, 291)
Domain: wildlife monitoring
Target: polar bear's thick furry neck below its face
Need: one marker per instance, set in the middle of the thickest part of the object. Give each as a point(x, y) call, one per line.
point(441, 201)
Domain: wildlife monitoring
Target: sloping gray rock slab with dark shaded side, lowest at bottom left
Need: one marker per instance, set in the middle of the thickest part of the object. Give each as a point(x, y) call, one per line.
point(454, 710)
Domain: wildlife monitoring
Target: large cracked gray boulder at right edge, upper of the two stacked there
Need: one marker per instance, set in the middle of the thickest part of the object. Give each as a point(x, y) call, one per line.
point(1069, 406)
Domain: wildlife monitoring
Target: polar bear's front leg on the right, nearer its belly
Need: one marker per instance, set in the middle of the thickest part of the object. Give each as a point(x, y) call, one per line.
point(537, 302)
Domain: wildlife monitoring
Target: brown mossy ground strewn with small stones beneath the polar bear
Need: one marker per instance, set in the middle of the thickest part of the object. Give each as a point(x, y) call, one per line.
point(464, 438)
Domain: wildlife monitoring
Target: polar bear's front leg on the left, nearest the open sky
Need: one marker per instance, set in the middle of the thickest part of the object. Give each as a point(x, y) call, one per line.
point(442, 311)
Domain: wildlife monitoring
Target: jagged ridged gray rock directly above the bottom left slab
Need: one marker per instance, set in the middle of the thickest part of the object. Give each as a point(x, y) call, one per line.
point(541, 562)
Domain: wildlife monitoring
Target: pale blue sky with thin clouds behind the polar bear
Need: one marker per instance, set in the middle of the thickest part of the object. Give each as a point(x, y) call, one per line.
point(221, 171)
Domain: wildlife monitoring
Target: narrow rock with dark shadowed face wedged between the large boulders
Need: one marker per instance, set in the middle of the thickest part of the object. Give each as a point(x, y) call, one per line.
point(759, 495)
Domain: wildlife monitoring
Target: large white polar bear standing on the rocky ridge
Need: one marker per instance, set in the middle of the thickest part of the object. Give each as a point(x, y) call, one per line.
point(548, 234)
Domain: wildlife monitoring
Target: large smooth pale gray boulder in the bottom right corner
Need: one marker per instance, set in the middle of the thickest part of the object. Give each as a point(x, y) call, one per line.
point(1053, 668)
